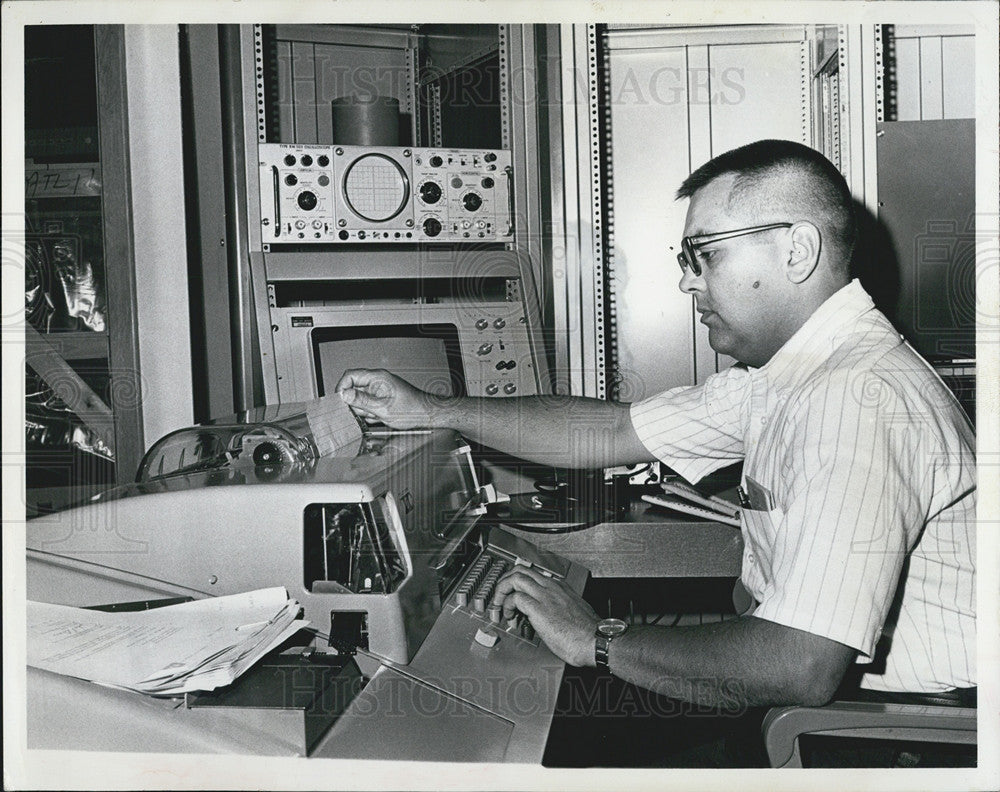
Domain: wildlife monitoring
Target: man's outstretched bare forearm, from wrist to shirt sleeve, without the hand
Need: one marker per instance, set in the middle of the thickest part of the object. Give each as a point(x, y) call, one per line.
point(562, 431)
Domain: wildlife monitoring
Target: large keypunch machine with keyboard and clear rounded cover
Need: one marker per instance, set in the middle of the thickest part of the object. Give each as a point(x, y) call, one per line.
point(381, 543)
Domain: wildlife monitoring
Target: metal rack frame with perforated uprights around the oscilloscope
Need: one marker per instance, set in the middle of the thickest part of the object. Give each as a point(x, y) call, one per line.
point(253, 268)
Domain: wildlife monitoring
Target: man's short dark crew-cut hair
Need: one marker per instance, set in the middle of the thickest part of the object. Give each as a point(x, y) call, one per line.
point(823, 191)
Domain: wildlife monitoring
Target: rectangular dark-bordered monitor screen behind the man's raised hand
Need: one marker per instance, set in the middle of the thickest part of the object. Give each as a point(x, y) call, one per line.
point(427, 356)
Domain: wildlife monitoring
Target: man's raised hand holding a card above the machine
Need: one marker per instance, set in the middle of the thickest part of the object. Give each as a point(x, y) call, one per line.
point(377, 394)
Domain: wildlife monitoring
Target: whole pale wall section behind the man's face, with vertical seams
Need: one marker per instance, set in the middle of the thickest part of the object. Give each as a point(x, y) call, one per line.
point(677, 101)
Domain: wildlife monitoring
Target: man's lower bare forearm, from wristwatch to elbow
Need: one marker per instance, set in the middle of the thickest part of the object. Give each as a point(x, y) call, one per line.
point(730, 665)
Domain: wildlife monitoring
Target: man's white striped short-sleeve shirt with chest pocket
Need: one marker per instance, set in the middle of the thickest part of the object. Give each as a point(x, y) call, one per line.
point(859, 465)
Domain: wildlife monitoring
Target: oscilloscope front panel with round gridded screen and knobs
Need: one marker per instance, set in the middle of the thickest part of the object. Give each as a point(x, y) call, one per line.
point(350, 194)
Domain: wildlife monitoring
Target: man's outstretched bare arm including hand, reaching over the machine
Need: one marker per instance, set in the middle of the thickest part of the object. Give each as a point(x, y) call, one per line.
point(561, 431)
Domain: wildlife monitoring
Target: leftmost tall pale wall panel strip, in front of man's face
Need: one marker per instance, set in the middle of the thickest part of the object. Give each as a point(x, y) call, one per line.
point(650, 146)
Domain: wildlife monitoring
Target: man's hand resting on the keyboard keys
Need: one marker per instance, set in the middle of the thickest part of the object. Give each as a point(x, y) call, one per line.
point(562, 619)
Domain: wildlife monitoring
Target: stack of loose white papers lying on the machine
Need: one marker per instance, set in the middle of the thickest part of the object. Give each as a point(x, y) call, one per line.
point(166, 651)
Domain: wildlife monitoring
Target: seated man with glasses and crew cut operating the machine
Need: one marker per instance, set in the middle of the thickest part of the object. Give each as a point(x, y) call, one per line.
point(858, 478)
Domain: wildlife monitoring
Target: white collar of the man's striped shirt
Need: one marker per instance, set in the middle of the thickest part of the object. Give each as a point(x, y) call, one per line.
point(818, 337)
